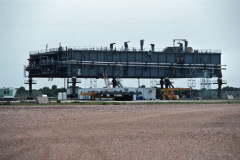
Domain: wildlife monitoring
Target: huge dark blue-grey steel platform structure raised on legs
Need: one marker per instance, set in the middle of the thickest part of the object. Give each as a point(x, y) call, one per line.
point(178, 61)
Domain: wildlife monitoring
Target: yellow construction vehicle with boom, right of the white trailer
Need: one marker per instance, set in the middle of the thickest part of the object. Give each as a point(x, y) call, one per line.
point(168, 93)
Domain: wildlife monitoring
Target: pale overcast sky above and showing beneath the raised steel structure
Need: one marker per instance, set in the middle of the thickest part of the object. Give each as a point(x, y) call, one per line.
point(27, 25)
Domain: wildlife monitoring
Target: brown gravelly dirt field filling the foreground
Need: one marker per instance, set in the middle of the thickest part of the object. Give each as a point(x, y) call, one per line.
point(124, 132)
